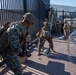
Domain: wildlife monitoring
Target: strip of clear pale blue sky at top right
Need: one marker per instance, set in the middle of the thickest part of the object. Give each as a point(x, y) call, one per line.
point(64, 2)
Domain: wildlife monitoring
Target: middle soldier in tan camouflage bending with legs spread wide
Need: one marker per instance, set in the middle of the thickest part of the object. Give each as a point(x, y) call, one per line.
point(44, 35)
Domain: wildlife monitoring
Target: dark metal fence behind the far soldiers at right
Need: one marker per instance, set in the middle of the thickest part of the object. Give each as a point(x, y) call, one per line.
point(62, 16)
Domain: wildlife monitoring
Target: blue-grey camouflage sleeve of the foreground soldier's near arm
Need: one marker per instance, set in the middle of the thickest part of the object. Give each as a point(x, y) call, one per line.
point(14, 38)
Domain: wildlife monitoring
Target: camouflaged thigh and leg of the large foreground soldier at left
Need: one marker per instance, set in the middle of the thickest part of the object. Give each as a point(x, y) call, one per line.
point(14, 64)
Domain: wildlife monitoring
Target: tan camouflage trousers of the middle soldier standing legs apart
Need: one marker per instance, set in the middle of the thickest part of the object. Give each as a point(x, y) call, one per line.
point(42, 41)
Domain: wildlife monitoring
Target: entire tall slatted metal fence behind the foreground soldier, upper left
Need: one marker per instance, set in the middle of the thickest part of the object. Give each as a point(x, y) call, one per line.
point(13, 12)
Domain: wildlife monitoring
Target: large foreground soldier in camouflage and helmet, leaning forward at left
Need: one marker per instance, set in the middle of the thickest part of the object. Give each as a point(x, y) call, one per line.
point(10, 52)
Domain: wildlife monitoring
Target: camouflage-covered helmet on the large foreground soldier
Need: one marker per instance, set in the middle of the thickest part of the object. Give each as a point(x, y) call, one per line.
point(29, 17)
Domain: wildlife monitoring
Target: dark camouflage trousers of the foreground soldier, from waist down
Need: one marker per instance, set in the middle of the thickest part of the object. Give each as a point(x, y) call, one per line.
point(12, 61)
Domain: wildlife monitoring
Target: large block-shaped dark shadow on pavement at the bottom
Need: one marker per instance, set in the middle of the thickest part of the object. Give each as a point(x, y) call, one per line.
point(52, 68)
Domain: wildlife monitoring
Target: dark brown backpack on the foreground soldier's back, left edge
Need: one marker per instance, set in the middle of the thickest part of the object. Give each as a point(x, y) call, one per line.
point(4, 35)
